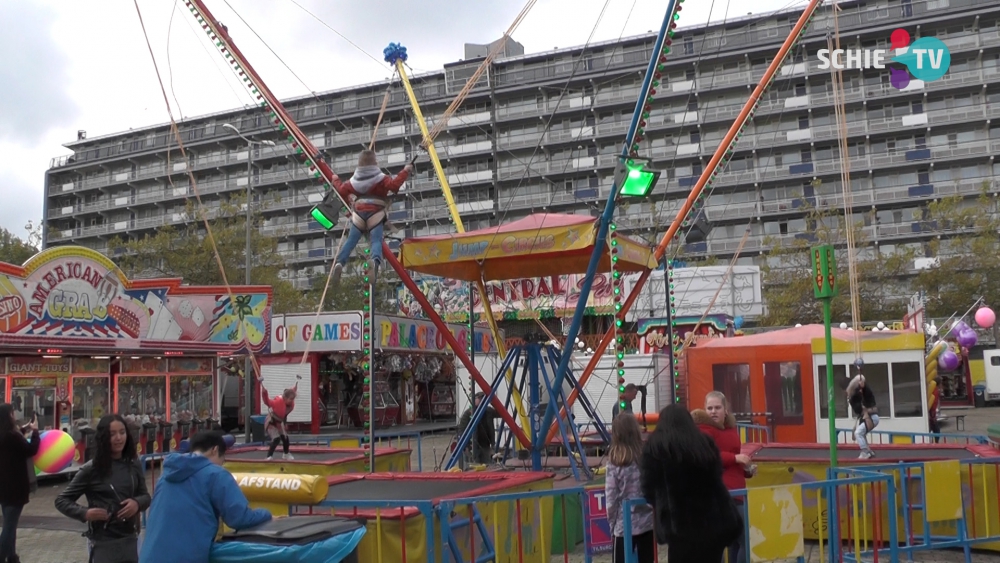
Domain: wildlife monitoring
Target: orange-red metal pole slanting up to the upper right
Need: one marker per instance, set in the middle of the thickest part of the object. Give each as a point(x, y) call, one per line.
point(723, 152)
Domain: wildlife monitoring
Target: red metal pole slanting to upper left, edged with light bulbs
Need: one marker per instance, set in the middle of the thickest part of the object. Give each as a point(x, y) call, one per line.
point(320, 170)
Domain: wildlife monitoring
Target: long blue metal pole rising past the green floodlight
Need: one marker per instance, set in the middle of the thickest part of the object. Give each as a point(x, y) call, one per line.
point(605, 220)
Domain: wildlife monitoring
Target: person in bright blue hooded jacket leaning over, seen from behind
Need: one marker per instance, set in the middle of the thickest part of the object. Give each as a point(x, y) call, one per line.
point(191, 496)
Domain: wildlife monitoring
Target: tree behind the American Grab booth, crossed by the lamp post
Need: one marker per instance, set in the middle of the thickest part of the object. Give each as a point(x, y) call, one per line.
point(186, 252)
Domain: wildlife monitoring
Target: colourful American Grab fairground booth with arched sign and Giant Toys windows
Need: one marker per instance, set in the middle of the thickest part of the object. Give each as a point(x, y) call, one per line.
point(79, 340)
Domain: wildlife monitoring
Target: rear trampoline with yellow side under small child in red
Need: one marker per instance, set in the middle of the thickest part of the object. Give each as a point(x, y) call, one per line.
point(316, 460)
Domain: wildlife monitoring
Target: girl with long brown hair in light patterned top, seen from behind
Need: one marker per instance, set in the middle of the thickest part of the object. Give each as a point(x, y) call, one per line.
point(621, 483)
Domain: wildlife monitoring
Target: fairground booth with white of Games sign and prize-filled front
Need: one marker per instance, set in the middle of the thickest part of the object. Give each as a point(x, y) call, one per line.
point(414, 368)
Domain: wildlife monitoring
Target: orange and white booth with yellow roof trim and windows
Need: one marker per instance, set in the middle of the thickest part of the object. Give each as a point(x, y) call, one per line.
point(778, 379)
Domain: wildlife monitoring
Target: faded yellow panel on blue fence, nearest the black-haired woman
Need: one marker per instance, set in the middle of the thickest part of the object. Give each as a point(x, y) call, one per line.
point(775, 522)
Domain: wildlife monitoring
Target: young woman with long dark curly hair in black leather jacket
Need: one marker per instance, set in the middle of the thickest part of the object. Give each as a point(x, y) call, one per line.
point(116, 493)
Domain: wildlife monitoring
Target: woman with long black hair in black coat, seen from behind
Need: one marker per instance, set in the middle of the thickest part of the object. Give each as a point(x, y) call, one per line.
point(681, 477)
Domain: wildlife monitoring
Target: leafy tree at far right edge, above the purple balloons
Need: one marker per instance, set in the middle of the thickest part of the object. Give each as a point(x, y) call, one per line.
point(967, 265)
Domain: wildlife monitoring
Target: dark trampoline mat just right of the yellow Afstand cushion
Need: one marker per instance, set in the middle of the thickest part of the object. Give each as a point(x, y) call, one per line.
point(404, 489)
